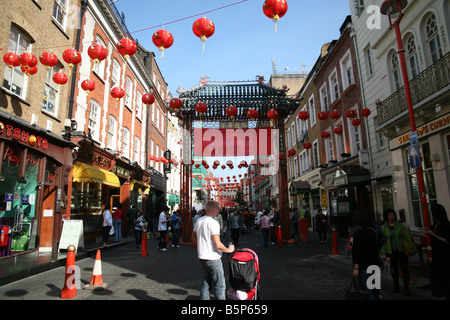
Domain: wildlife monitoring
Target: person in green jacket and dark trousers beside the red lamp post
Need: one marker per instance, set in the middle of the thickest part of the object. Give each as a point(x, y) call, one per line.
point(393, 248)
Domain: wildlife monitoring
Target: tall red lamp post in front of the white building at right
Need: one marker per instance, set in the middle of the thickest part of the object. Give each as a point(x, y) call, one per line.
point(394, 10)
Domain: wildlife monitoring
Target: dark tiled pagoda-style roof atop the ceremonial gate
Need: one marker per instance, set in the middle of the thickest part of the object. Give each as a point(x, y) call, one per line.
point(244, 96)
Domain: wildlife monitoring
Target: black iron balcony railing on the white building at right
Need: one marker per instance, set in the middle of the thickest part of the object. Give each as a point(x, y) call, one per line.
point(424, 85)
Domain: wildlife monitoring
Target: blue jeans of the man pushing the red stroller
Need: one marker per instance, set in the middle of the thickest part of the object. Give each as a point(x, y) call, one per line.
point(213, 275)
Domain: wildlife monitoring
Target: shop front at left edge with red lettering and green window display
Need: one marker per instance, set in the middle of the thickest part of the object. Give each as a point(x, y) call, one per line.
point(34, 171)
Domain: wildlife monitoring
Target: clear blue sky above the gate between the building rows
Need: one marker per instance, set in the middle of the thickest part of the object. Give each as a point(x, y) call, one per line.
point(244, 43)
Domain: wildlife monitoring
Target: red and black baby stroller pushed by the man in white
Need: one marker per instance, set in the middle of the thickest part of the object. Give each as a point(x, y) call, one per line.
point(244, 275)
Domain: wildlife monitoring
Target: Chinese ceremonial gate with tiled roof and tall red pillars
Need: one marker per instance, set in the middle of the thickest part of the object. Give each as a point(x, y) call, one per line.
point(244, 96)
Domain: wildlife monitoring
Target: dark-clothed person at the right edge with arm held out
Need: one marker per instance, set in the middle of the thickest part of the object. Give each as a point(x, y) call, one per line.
point(440, 244)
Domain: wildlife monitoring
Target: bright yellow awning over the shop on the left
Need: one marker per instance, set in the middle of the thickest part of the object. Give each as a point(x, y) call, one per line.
point(83, 172)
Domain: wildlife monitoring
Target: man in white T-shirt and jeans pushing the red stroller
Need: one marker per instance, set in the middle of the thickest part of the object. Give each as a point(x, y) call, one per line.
point(206, 235)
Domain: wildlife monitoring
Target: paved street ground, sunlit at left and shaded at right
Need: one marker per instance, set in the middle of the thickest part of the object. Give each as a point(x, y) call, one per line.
point(300, 271)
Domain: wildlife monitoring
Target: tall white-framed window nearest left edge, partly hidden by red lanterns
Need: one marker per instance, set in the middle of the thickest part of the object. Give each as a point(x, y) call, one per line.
point(14, 79)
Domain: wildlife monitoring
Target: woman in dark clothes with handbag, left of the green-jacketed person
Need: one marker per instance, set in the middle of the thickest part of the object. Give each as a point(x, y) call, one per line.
point(364, 250)
